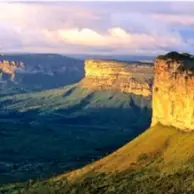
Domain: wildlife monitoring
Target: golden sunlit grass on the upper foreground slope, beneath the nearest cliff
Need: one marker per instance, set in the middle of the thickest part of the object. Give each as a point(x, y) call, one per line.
point(174, 146)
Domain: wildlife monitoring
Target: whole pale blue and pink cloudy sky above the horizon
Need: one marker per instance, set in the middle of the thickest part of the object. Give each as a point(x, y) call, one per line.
point(112, 28)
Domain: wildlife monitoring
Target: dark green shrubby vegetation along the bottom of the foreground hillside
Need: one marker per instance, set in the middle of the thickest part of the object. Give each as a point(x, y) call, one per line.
point(138, 182)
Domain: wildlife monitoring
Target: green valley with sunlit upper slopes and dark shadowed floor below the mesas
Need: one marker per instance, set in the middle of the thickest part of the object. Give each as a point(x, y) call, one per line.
point(46, 133)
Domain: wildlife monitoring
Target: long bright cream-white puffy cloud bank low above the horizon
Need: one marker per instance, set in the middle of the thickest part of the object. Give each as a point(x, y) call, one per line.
point(114, 37)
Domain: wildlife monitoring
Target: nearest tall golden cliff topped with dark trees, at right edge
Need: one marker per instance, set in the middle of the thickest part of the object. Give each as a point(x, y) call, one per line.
point(173, 91)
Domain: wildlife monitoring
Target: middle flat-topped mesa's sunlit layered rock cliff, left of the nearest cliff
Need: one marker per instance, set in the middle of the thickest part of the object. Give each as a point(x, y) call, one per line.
point(128, 78)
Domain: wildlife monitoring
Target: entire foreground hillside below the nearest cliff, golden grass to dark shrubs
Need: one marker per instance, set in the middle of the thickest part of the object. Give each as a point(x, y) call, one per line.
point(161, 160)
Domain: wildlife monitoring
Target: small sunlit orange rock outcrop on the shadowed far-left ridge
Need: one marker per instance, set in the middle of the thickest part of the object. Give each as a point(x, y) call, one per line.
point(9, 68)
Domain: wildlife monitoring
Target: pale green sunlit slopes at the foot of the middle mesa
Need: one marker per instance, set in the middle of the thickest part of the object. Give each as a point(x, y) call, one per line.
point(65, 97)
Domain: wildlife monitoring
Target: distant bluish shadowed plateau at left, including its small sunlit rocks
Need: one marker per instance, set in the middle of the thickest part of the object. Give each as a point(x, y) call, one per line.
point(35, 72)
